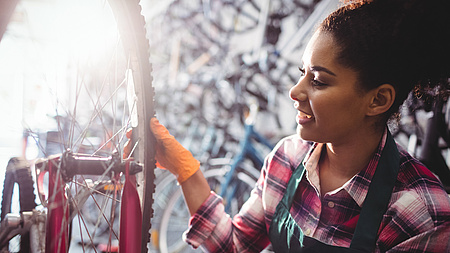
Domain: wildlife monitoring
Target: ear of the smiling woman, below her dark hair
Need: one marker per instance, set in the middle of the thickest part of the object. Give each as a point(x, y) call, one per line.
point(382, 99)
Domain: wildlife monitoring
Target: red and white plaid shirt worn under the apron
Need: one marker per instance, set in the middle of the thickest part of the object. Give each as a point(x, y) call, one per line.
point(417, 219)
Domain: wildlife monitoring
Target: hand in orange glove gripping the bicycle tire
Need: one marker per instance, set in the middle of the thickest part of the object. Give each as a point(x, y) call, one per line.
point(170, 154)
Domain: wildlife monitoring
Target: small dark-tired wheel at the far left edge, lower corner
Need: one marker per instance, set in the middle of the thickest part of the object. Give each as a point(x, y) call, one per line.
point(18, 173)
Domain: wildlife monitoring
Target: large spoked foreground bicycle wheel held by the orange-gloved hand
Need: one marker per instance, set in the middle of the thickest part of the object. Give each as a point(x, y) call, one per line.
point(91, 81)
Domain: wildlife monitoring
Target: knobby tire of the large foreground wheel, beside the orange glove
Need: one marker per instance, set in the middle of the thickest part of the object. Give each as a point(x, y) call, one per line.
point(132, 25)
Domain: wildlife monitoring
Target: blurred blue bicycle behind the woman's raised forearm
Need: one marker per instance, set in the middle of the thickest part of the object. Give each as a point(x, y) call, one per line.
point(233, 178)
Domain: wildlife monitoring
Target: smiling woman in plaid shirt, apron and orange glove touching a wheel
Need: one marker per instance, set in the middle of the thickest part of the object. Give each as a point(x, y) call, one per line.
point(341, 183)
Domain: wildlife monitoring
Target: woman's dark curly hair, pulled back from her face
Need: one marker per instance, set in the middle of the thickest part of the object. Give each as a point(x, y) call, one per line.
point(405, 43)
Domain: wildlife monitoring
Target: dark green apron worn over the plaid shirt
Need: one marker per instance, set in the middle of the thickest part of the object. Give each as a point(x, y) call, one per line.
point(286, 236)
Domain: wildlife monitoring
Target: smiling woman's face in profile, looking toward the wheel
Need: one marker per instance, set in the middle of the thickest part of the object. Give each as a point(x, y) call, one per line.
point(331, 107)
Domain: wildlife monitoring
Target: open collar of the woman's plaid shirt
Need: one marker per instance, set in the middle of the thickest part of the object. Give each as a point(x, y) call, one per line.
point(357, 186)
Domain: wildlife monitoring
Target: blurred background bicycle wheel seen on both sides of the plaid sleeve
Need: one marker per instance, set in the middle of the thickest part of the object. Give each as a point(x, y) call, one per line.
point(174, 220)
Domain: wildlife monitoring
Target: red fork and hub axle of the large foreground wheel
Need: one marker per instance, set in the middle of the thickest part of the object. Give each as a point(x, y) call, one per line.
point(61, 169)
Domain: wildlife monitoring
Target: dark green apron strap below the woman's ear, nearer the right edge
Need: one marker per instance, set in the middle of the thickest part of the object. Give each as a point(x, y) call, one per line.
point(377, 199)
